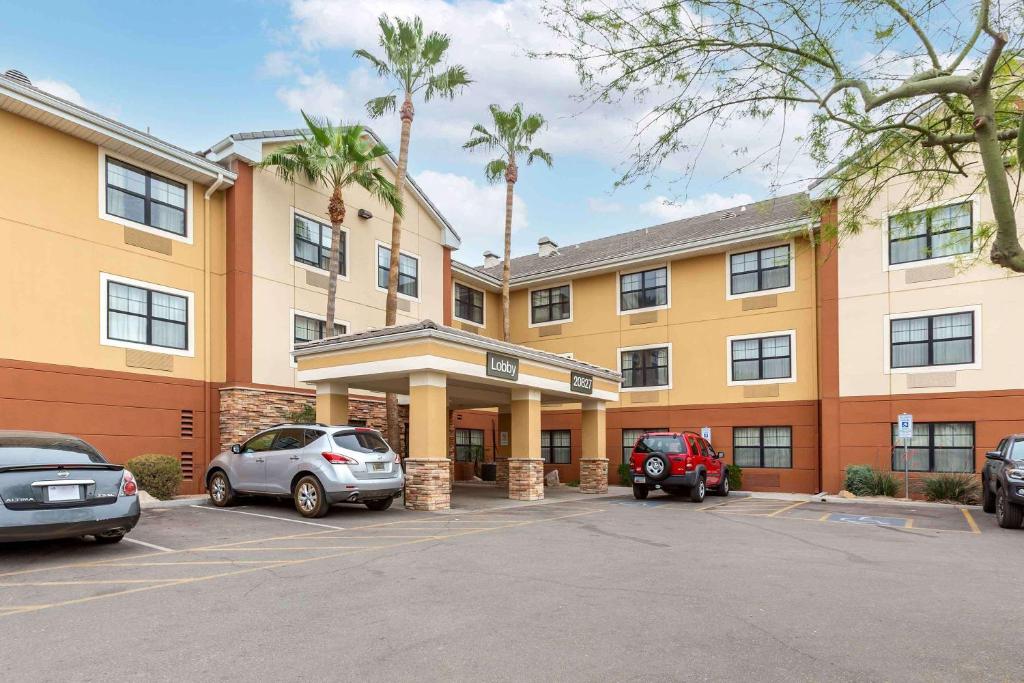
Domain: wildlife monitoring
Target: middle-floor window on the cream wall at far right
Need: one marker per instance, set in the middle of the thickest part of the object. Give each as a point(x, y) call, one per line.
point(933, 340)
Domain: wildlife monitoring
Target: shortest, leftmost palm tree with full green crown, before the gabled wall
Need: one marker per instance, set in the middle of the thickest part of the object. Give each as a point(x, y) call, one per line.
point(335, 157)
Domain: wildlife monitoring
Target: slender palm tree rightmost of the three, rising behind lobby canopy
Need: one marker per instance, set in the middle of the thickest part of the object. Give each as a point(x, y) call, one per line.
point(513, 137)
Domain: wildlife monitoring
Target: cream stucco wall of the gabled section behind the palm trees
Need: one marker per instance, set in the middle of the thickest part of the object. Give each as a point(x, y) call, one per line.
point(281, 287)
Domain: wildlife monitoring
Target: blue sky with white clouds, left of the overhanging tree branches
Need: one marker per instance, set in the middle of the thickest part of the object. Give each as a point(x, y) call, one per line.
point(193, 72)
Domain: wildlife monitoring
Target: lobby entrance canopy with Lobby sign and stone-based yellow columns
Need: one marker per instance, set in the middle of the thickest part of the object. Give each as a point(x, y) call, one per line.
point(442, 370)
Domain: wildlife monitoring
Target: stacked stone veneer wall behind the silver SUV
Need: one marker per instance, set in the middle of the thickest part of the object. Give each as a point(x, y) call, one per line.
point(245, 411)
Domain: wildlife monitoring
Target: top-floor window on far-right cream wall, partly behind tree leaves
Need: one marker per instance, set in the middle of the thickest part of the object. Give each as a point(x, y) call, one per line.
point(920, 236)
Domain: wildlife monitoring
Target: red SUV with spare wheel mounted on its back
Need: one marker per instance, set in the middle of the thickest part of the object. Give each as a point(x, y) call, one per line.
point(679, 464)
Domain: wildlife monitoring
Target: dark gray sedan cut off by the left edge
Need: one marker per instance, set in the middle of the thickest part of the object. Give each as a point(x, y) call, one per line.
point(59, 487)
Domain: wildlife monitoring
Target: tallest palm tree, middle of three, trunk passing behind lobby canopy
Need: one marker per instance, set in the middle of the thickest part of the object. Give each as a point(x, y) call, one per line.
point(413, 63)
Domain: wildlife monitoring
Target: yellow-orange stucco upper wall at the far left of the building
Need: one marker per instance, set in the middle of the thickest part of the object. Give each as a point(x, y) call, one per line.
point(57, 247)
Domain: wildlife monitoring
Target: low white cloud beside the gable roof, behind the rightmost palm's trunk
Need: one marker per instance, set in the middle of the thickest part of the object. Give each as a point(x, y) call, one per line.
point(476, 209)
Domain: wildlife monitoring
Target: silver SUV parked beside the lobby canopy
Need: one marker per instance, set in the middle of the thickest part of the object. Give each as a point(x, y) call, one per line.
point(316, 465)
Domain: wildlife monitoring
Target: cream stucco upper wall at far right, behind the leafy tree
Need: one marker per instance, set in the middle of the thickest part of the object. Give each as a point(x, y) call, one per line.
point(870, 292)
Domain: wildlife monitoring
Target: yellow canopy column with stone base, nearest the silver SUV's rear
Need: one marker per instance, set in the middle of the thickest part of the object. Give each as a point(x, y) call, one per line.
point(429, 482)
